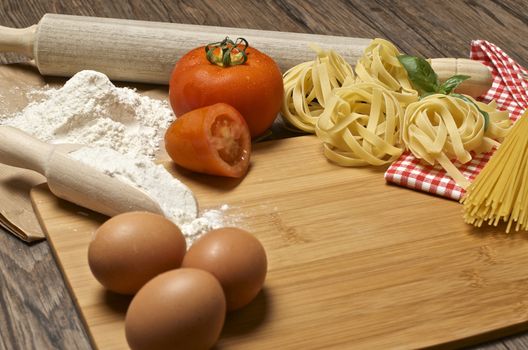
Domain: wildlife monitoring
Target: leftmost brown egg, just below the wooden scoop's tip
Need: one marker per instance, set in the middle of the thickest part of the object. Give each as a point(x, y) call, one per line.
point(131, 248)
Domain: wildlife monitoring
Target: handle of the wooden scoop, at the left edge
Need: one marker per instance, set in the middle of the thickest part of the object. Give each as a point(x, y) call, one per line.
point(22, 150)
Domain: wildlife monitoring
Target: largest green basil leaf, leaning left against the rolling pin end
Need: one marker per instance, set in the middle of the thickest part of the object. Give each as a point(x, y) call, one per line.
point(421, 74)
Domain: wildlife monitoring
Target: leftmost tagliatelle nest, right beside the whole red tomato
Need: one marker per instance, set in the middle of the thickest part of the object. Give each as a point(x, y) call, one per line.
point(307, 87)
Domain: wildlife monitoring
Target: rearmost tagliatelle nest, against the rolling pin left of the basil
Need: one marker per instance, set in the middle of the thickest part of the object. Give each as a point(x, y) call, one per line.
point(380, 64)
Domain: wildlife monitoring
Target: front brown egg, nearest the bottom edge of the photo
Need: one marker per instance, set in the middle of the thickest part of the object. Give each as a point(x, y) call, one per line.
point(181, 309)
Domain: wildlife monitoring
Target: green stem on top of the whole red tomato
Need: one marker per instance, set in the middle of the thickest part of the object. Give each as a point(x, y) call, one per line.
point(227, 53)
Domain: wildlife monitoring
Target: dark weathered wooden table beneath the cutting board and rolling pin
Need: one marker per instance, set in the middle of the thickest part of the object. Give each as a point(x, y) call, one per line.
point(36, 310)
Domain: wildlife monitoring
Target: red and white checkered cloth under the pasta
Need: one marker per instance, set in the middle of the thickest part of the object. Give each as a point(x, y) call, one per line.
point(509, 89)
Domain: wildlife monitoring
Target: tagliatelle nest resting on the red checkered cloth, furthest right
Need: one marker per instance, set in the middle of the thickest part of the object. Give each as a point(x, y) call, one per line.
point(441, 128)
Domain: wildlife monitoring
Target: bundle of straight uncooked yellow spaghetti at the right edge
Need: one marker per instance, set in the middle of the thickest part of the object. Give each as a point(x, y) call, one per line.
point(500, 191)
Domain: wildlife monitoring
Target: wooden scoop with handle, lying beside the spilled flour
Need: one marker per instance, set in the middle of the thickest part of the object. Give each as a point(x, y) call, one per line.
point(70, 179)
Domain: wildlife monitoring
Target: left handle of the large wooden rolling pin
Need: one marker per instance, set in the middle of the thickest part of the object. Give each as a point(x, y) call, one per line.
point(19, 40)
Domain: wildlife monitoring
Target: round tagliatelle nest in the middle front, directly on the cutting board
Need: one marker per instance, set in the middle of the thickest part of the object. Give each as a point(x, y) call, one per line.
point(361, 125)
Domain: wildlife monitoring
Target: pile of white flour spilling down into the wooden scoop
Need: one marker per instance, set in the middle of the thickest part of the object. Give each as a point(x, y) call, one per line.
point(123, 130)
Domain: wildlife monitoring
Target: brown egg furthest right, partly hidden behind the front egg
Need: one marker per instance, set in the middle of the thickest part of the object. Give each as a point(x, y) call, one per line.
point(236, 258)
